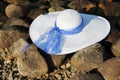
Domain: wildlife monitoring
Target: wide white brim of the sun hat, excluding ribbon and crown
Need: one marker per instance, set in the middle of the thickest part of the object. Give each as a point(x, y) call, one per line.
point(95, 29)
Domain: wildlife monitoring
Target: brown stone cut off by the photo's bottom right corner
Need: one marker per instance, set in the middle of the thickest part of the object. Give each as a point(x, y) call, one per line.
point(110, 69)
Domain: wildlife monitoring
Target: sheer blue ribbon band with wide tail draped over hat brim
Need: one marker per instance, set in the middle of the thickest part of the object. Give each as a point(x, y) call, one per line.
point(52, 40)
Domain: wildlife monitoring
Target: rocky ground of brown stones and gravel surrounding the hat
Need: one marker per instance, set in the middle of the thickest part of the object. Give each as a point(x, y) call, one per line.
point(100, 61)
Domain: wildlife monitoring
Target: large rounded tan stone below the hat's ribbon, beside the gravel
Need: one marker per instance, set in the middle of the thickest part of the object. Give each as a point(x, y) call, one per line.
point(31, 63)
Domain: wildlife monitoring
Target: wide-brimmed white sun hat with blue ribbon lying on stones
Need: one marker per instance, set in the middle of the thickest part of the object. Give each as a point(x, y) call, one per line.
point(67, 31)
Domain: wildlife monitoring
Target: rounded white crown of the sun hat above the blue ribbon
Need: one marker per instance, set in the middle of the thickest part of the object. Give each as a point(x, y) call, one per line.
point(68, 19)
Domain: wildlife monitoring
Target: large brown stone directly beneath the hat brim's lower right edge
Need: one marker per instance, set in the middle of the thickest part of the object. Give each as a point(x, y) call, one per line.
point(88, 58)
